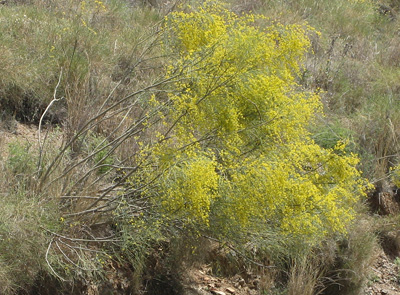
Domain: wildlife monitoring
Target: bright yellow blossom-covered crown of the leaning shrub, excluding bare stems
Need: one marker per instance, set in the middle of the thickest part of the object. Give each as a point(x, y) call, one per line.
point(235, 149)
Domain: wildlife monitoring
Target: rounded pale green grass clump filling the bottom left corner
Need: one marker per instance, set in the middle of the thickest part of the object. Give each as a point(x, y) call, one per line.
point(23, 242)
